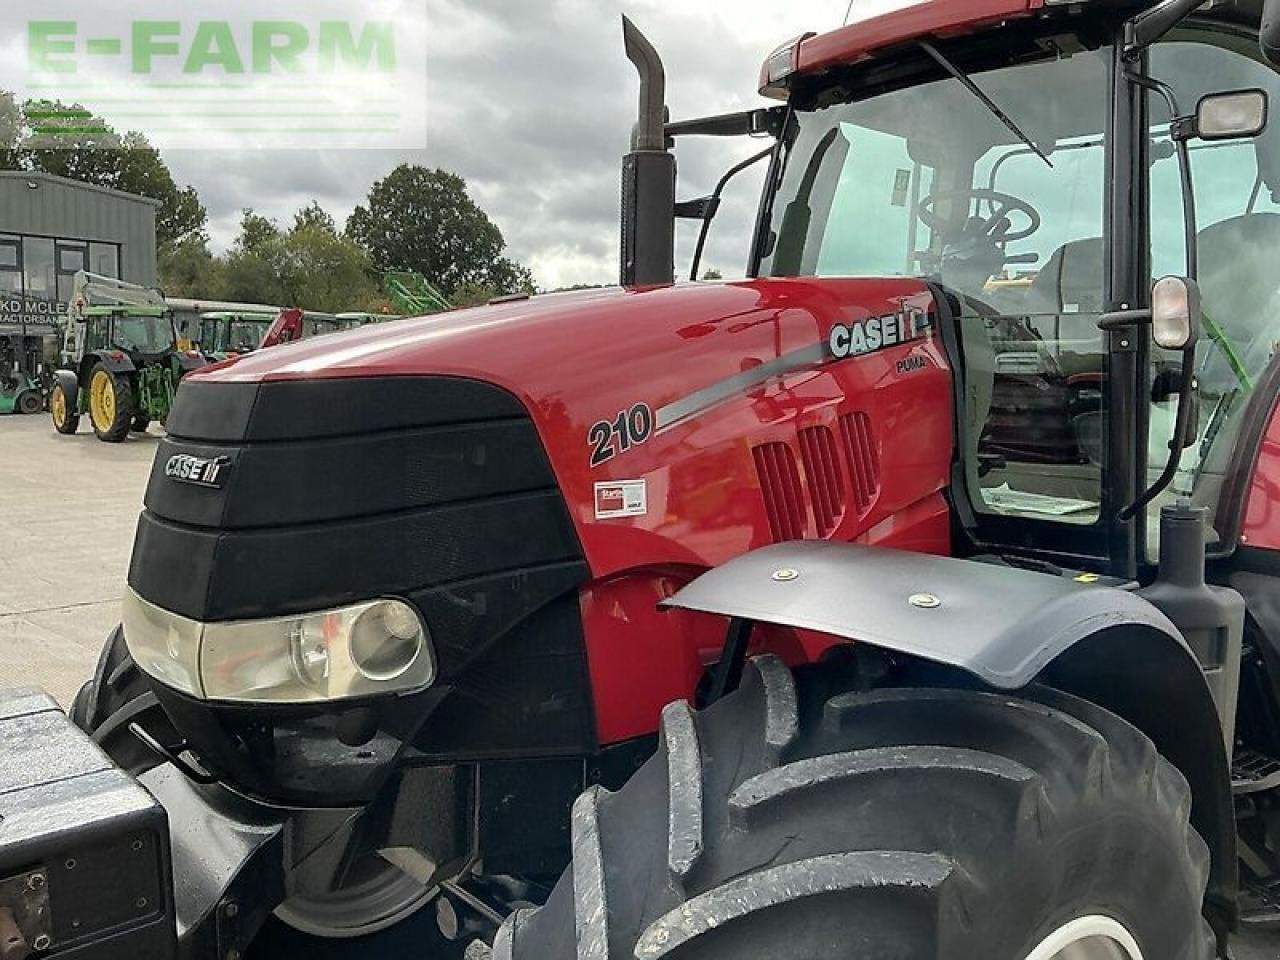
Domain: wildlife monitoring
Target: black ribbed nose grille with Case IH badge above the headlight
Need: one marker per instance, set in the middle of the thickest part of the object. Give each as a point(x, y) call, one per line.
point(342, 491)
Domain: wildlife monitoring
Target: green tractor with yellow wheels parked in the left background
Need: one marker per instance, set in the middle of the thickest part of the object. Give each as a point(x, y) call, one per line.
point(121, 360)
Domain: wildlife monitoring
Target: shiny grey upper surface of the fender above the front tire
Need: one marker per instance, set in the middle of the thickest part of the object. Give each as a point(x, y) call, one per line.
point(1002, 624)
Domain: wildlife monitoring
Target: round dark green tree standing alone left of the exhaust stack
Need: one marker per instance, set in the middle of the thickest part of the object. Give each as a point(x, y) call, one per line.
point(424, 221)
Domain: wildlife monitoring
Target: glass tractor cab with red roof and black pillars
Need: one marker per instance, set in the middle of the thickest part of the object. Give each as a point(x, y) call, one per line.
point(1039, 179)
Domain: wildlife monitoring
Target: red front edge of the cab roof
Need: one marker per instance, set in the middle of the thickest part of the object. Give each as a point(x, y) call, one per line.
point(938, 19)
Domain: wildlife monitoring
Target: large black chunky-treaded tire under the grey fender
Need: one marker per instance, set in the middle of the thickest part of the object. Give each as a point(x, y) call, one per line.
point(921, 824)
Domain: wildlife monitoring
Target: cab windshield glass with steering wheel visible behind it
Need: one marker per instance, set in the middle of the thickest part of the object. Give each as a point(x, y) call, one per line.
point(927, 182)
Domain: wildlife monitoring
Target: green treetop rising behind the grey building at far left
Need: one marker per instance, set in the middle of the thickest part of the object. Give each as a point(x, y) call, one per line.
point(71, 141)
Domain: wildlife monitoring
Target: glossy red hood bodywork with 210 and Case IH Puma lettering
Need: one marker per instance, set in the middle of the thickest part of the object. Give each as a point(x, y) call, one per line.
point(575, 360)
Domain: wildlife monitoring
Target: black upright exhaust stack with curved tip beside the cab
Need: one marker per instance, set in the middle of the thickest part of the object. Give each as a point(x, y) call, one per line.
point(648, 175)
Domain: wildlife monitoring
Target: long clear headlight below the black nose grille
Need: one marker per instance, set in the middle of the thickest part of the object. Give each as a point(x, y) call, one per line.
point(369, 648)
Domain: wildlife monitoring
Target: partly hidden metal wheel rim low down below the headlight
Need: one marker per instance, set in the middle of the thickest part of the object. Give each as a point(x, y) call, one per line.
point(377, 895)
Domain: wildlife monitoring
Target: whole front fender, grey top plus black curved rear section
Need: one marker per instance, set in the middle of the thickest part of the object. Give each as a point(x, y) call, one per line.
point(1008, 628)
